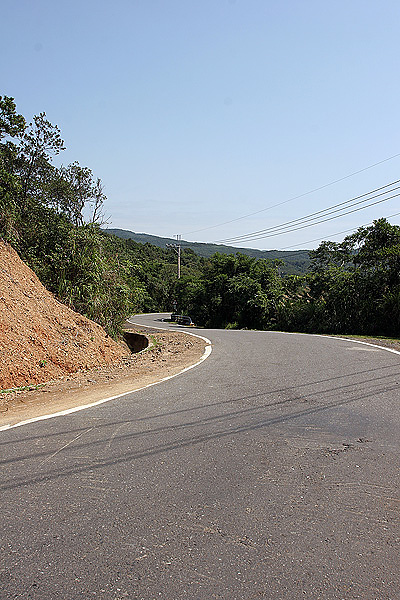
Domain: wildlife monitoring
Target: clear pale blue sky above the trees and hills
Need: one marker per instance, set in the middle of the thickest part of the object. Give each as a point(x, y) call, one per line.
point(194, 113)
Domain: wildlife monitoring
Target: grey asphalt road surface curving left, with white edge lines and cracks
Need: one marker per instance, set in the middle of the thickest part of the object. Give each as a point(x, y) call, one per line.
point(271, 470)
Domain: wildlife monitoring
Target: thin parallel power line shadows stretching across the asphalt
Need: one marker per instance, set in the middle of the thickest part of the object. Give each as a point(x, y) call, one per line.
point(223, 423)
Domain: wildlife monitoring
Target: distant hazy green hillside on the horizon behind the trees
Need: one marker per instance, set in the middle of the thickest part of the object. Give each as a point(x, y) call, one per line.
point(295, 262)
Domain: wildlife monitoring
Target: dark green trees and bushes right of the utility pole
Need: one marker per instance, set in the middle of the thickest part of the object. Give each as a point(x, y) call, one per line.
point(352, 287)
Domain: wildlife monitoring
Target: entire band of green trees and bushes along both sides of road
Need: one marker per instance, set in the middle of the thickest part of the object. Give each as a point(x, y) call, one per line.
point(53, 217)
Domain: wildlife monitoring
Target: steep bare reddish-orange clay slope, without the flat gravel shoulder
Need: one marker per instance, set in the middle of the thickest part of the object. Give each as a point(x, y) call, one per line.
point(40, 338)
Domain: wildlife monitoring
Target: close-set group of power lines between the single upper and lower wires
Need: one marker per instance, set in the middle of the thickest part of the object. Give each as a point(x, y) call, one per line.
point(315, 215)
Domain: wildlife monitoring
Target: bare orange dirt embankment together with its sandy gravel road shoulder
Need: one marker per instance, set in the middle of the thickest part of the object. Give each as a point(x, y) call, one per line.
point(44, 342)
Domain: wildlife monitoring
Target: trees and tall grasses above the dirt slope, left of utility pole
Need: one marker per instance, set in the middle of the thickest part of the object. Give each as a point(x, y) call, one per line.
point(52, 217)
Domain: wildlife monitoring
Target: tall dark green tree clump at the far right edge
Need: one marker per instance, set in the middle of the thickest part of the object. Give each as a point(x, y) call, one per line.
point(355, 285)
